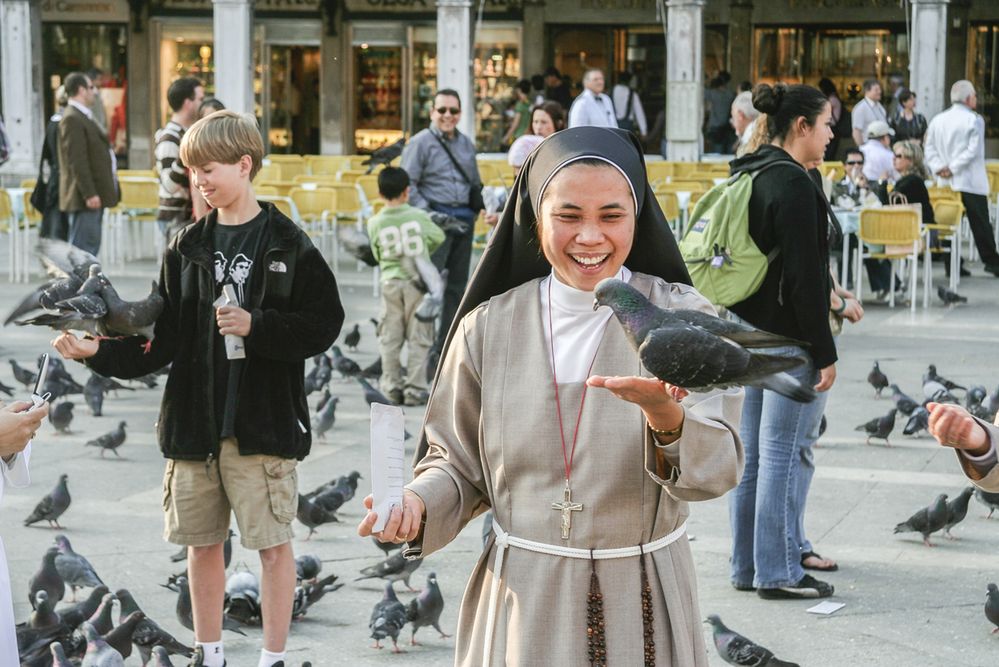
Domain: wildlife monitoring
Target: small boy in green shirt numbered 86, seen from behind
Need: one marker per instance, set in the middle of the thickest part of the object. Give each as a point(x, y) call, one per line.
point(400, 231)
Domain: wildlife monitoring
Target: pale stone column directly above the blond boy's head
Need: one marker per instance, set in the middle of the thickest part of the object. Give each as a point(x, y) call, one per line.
point(233, 21)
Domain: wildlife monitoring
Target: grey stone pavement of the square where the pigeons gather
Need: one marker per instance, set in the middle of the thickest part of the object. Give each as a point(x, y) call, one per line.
point(905, 604)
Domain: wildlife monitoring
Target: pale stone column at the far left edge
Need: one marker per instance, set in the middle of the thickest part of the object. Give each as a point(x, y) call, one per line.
point(20, 75)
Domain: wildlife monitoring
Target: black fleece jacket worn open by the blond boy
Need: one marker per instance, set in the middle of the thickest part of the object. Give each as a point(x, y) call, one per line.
point(296, 314)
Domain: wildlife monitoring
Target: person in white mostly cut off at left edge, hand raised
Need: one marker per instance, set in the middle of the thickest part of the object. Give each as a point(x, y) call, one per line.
point(17, 427)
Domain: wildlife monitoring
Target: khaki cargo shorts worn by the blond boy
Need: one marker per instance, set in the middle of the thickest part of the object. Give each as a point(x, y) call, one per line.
point(261, 490)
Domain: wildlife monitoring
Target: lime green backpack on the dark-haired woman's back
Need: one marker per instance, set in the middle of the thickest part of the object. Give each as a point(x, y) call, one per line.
point(723, 261)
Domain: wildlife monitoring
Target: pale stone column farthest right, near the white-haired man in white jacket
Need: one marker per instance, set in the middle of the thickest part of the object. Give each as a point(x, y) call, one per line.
point(927, 55)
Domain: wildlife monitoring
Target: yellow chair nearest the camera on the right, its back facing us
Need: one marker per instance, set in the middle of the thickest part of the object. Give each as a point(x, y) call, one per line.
point(898, 230)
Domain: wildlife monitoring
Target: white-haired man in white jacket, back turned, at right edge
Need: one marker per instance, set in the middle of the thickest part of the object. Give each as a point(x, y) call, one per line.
point(955, 151)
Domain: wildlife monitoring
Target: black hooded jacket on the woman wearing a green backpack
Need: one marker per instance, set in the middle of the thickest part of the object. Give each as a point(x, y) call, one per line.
point(789, 211)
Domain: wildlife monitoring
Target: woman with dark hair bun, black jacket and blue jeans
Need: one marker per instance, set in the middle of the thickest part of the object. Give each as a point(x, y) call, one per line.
point(786, 212)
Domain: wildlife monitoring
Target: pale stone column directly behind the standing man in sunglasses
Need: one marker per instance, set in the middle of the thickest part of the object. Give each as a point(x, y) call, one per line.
point(454, 57)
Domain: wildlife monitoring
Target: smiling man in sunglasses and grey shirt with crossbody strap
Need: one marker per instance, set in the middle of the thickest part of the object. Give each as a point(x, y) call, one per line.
point(444, 177)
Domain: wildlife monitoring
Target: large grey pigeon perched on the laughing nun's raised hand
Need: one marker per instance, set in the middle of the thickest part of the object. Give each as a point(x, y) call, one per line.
point(700, 352)
